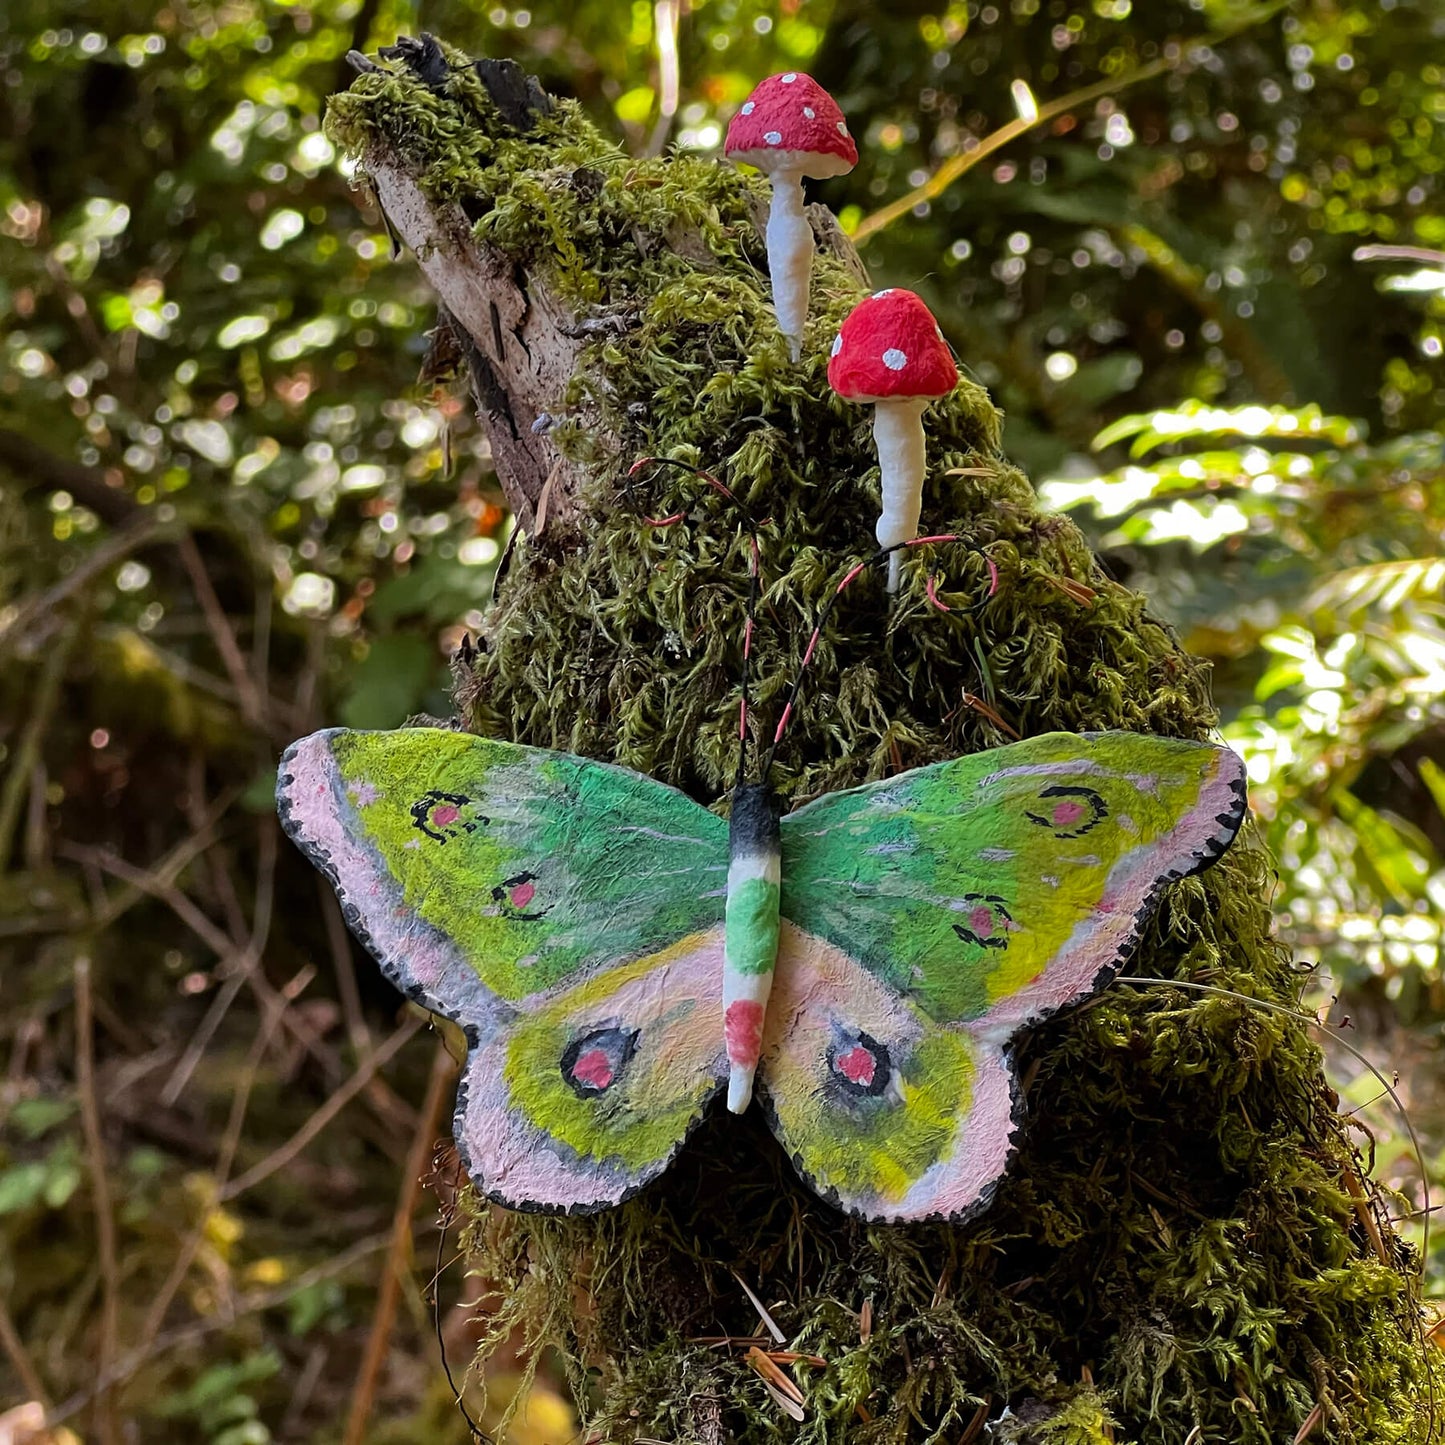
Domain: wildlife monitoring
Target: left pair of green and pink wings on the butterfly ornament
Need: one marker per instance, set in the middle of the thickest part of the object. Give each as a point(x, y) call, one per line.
point(566, 913)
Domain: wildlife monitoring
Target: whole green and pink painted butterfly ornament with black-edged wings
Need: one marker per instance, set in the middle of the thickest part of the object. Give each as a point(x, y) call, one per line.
point(619, 956)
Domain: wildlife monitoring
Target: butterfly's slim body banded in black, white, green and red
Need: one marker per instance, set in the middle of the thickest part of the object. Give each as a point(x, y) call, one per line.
point(751, 927)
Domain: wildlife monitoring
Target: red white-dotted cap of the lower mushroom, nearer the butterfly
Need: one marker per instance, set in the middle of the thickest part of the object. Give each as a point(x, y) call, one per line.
point(891, 346)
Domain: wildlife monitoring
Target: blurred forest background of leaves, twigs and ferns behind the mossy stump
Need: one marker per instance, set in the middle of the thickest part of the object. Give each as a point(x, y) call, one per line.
point(1197, 252)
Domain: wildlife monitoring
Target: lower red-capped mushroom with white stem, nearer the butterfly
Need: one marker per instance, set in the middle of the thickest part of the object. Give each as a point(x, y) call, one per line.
point(891, 353)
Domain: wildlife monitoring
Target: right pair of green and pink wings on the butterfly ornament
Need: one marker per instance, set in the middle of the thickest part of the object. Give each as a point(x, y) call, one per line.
point(936, 914)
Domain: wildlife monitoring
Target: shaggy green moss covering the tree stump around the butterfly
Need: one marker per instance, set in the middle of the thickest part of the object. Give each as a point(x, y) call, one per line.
point(1177, 1255)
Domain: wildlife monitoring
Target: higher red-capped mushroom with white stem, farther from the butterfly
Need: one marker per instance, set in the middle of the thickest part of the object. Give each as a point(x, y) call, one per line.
point(791, 128)
